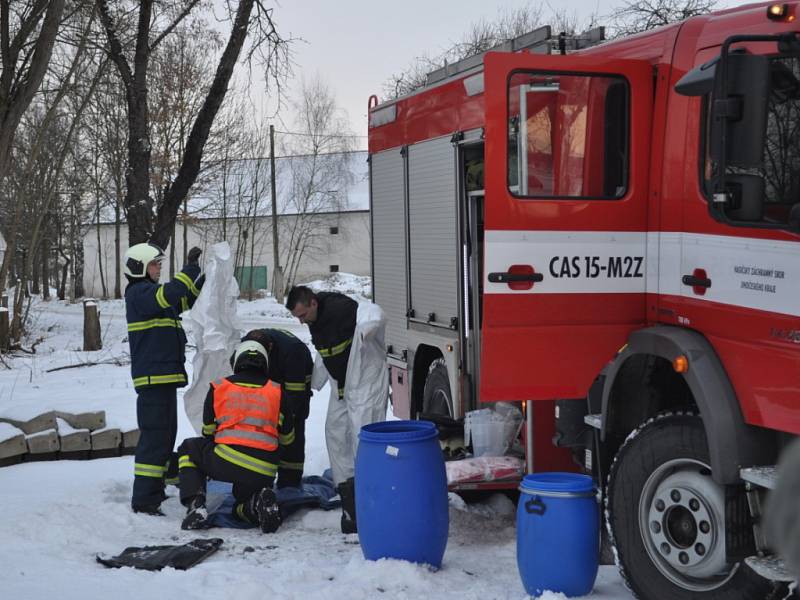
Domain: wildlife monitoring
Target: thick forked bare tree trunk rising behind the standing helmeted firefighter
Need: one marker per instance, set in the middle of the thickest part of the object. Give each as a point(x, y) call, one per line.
point(151, 30)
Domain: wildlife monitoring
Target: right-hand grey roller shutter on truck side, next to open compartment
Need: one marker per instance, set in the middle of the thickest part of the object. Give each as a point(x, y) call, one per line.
point(432, 230)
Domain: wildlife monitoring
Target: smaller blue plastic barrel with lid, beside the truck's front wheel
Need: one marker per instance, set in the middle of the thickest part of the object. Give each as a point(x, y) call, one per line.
point(558, 535)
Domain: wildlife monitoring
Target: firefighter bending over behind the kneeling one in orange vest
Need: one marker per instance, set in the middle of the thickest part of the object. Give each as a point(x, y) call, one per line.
point(291, 365)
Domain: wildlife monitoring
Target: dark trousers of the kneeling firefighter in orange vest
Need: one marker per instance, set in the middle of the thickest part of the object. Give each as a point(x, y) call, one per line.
point(206, 463)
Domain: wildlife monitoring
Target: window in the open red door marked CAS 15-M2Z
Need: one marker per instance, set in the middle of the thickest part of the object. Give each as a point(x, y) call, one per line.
point(568, 135)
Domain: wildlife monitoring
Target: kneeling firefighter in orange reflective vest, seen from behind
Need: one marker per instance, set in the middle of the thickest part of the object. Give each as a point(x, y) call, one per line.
point(246, 425)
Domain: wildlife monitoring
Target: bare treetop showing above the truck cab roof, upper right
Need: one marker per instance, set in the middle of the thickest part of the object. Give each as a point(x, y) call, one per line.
point(642, 15)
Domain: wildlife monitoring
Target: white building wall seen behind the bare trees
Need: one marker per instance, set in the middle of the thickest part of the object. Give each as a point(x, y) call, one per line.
point(349, 249)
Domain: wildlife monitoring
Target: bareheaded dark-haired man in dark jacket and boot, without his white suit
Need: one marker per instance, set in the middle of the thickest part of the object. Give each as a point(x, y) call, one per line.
point(331, 319)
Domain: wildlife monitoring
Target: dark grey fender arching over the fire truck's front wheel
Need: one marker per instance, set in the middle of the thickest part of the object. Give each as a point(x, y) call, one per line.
point(732, 443)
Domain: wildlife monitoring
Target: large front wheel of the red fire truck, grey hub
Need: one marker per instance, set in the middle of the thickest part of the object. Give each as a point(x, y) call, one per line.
point(665, 516)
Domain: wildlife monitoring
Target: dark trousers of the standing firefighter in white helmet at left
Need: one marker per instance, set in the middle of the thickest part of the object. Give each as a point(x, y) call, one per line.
point(157, 416)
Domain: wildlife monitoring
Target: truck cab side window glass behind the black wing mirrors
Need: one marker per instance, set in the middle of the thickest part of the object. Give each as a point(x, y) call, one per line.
point(779, 172)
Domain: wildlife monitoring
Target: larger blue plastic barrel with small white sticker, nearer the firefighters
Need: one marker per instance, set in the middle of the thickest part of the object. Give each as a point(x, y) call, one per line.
point(401, 492)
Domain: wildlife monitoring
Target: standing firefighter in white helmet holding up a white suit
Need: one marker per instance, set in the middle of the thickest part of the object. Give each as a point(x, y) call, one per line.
point(157, 345)
